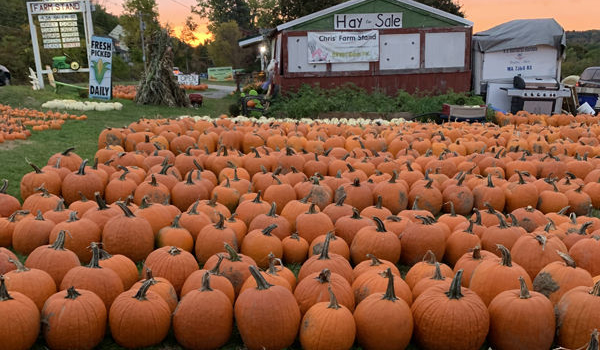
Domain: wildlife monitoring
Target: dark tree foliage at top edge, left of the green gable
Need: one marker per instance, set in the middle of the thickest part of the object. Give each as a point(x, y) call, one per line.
point(222, 11)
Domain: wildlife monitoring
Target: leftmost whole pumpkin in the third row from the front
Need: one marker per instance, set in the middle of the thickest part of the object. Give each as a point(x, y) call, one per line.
point(31, 233)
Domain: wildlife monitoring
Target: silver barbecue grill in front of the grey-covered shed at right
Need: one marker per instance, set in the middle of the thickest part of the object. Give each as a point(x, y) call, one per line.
point(539, 95)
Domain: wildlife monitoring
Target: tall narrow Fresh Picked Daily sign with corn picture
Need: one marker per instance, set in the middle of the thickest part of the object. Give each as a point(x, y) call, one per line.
point(100, 67)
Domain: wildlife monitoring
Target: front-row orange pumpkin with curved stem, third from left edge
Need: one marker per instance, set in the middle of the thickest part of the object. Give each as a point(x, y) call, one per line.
point(139, 318)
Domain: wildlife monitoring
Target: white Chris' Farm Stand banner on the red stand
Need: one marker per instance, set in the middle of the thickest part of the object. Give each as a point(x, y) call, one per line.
point(339, 47)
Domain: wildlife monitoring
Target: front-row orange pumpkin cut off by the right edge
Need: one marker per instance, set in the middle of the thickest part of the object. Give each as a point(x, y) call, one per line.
point(577, 316)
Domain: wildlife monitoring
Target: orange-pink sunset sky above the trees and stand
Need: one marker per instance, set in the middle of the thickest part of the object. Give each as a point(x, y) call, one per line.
point(571, 14)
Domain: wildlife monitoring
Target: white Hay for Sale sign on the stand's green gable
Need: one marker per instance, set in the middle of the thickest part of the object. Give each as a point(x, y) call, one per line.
point(360, 21)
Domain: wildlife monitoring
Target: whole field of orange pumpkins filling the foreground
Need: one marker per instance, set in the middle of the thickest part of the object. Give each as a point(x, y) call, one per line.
point(320, 233)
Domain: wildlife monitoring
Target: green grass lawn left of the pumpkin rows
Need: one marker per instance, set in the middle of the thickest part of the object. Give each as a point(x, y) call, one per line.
point(80, 134)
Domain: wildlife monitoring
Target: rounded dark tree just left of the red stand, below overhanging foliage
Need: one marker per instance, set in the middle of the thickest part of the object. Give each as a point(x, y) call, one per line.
point(224, 49)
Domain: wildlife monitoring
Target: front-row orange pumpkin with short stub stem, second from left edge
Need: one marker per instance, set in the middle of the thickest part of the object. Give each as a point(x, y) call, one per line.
point(74, 319)
